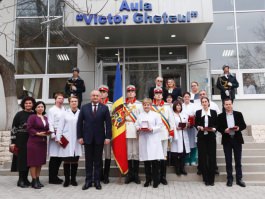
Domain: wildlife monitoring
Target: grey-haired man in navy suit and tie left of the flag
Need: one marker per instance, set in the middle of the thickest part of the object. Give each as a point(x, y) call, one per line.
point(93, 130)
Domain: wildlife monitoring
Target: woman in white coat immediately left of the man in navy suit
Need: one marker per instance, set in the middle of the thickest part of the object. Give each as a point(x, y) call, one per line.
point(71, 153)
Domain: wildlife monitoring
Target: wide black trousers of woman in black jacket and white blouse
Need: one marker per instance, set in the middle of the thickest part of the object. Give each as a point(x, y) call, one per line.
point(207, 156)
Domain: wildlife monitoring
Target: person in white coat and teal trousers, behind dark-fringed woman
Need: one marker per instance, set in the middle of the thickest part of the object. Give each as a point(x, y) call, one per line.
point(190, 109)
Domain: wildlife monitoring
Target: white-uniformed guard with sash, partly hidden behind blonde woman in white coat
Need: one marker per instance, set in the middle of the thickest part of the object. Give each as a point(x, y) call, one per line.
point(167, 130)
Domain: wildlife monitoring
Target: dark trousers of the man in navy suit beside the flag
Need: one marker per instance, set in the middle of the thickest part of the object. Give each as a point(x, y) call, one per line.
point(93, 156)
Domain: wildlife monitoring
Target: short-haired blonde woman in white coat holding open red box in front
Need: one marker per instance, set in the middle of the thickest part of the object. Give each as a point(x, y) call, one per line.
point(148, 126)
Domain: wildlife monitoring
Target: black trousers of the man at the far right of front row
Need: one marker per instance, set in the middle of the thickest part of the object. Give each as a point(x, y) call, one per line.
point(230, 146)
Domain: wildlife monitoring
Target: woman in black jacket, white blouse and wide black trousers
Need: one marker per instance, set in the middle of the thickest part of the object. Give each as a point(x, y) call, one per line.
point(206, 123)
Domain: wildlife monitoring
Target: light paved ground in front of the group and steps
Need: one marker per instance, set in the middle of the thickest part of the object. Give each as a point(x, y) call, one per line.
point(116, 189)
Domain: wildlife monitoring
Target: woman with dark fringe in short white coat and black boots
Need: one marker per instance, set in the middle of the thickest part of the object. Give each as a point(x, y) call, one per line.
point(180, 144)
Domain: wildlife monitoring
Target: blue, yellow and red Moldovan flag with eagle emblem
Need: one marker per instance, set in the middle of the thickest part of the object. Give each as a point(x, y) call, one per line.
point(118, 125)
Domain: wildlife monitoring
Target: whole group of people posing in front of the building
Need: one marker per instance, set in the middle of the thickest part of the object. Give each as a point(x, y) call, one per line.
point(166, 125)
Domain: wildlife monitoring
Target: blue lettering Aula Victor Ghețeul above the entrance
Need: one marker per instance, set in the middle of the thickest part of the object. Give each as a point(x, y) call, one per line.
point(140, 16)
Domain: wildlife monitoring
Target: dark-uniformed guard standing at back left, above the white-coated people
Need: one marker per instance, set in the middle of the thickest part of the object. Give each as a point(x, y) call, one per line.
point(75, 86)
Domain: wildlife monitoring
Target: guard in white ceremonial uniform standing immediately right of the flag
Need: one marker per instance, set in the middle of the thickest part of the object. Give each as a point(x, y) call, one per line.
point(132, 109)
